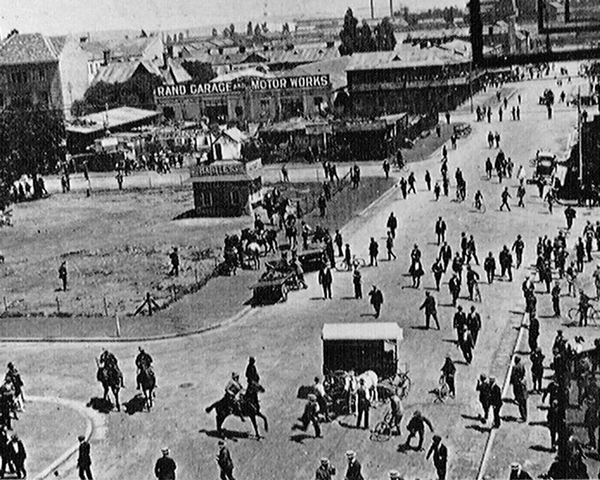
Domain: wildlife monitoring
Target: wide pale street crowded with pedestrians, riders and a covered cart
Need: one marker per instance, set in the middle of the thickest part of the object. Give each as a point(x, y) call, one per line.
point(285, 339)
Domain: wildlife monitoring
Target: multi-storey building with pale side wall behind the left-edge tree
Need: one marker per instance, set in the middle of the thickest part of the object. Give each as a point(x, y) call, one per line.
point(43, 71)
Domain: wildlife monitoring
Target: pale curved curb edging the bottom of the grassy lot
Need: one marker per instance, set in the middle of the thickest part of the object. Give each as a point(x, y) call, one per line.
point(169, 336)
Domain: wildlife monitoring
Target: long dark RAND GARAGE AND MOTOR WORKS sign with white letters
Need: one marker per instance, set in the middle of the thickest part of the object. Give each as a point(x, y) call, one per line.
point(255, 84)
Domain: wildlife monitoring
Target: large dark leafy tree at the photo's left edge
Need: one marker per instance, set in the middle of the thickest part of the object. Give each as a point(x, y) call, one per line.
point(31, 143)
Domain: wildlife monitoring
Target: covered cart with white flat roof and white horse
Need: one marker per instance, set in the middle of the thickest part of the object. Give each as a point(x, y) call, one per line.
point(352, 351)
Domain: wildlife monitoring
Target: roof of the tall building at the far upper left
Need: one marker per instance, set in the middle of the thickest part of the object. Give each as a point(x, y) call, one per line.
point(27, 48)
